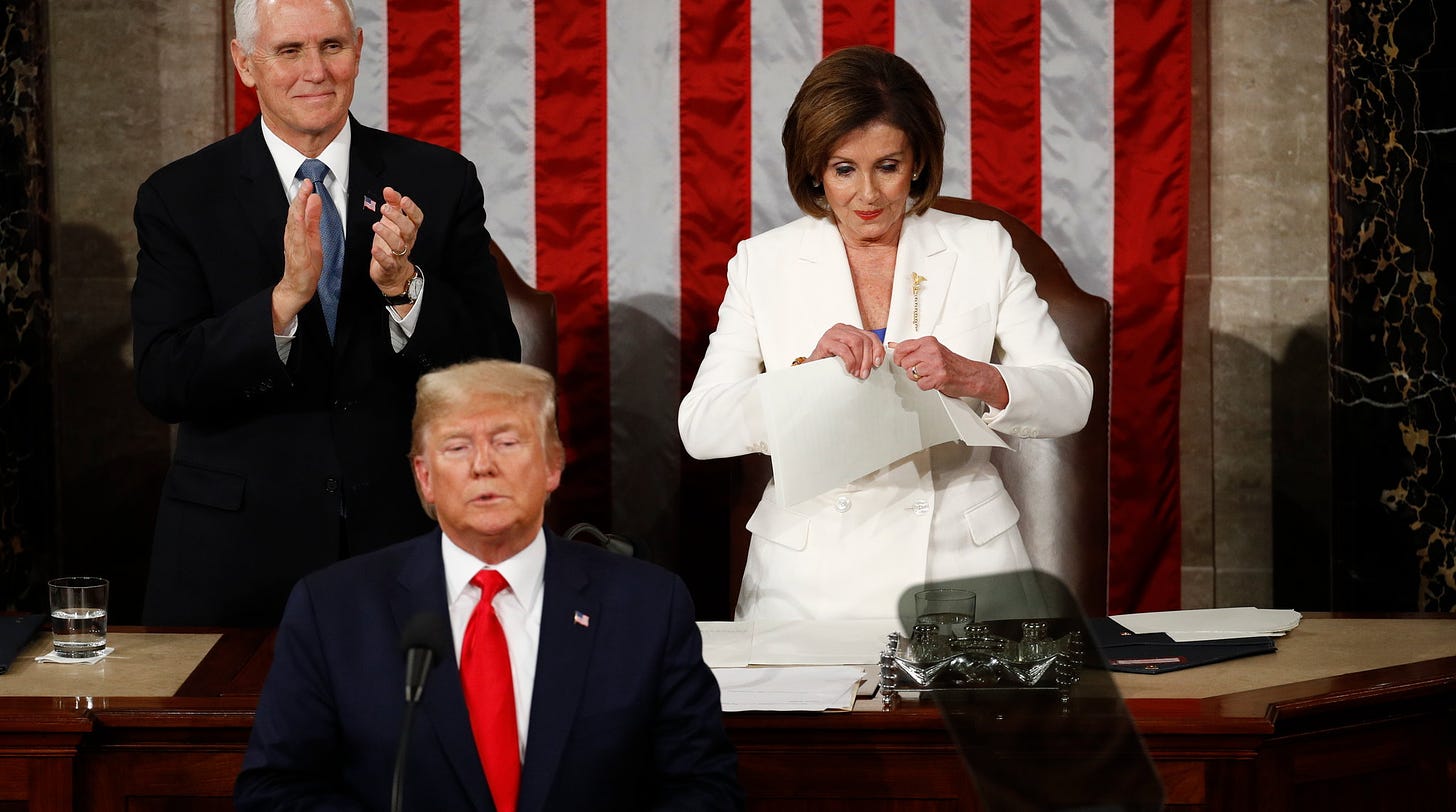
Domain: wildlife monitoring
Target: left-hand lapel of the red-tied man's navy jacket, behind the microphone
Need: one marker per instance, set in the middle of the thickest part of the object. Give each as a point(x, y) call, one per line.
point(442, 715)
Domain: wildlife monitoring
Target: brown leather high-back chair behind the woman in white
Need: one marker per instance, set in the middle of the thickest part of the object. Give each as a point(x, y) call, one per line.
point(1061, 485)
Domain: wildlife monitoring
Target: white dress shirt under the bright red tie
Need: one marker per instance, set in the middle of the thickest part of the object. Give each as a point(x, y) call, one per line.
point(519, 608)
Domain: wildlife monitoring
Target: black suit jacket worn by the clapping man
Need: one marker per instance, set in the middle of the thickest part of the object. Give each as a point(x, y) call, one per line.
point(272, 456)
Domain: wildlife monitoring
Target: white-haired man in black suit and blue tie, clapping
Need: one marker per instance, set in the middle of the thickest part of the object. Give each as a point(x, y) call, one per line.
point(293, 283)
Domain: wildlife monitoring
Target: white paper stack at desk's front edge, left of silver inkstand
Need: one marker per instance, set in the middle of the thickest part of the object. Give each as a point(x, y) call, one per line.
point(822, 688)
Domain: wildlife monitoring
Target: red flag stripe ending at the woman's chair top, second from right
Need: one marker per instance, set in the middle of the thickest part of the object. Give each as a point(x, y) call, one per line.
point(1007, 107)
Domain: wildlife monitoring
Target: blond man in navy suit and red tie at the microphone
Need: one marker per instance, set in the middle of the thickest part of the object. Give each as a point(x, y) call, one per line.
point(580, 683)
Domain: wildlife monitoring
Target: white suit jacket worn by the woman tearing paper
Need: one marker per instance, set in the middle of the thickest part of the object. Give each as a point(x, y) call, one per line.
point(941, 513)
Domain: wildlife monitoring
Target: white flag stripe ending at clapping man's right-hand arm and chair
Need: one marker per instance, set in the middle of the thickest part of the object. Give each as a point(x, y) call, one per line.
point(499, 123)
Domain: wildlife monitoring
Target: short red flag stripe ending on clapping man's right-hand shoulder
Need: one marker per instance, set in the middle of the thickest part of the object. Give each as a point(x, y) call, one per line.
point(424, 71)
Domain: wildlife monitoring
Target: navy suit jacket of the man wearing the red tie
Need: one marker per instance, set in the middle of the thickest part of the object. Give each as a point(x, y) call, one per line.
point(625, 715)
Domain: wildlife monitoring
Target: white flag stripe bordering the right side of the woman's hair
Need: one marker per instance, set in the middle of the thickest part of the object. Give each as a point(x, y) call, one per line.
point(934, 36)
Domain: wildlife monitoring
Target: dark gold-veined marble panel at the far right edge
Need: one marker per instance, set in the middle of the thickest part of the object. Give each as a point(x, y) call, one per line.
point(1393, 319)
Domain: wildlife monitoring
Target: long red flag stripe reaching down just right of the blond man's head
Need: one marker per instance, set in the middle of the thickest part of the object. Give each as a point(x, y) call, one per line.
point(571, 238)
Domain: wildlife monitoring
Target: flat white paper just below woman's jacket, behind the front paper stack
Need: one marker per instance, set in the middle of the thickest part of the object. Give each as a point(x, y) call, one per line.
point(820, 642)
